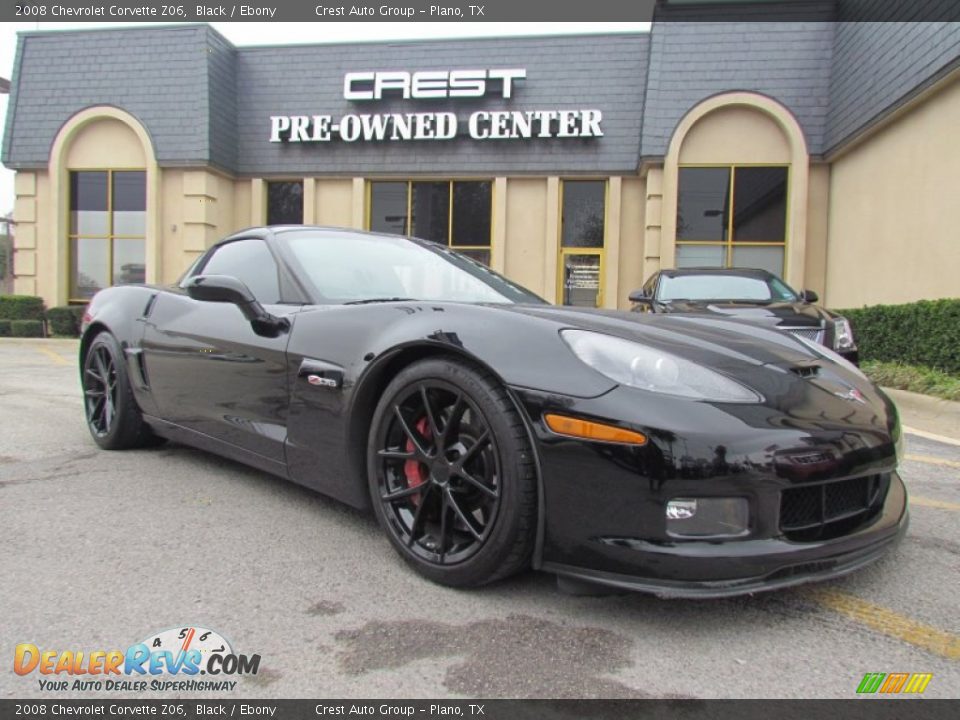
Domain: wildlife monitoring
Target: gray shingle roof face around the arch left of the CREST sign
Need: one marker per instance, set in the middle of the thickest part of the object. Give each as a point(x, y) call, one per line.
point(157, 75)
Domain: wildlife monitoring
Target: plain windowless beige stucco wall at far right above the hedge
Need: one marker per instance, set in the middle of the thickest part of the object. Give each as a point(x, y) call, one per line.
point(893, 234)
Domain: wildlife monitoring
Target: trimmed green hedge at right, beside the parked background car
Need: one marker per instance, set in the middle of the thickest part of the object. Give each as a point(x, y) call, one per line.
point(921, 333)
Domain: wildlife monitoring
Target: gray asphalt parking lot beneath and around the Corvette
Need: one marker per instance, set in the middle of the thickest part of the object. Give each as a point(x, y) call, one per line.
point(101, 550)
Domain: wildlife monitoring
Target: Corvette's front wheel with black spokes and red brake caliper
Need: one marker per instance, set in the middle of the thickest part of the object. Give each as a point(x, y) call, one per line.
point(467, 516)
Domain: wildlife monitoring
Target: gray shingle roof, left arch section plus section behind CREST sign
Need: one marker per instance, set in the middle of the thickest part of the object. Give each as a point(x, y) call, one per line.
point(203, 101)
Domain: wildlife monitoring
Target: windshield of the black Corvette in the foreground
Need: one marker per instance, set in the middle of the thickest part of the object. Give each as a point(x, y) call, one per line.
point(357, 268)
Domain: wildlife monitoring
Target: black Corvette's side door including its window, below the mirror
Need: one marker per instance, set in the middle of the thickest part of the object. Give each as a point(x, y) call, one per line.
point(208, 370)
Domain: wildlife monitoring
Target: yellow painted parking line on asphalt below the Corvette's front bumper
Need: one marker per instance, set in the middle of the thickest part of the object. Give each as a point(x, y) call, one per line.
point(889, 623)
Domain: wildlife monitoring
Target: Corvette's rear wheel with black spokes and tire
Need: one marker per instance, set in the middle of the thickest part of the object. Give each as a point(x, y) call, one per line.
point(113, 418)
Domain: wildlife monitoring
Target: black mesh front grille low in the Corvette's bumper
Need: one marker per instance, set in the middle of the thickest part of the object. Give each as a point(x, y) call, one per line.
point(831, 509)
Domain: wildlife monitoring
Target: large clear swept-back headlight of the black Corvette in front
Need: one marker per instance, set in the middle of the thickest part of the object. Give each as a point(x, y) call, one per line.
point(630, 363)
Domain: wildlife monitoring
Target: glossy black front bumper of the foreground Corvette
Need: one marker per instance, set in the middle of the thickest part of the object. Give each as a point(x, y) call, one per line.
point(603, 505)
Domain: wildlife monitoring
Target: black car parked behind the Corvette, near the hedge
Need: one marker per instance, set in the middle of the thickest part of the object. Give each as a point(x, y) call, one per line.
point(753, 295)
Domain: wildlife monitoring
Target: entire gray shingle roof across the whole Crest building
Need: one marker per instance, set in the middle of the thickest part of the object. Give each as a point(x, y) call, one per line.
point(205, 102)
